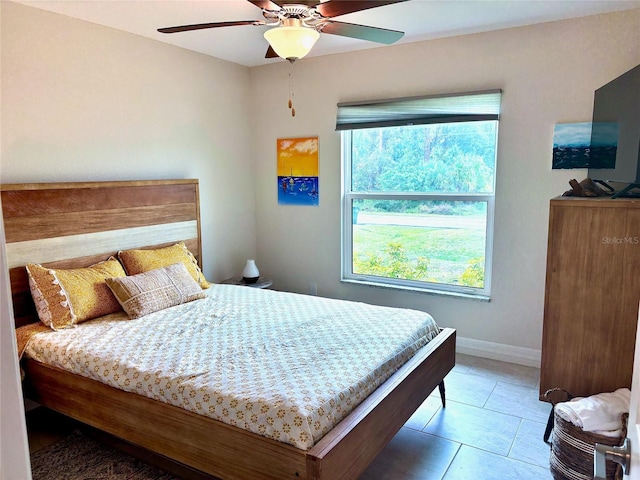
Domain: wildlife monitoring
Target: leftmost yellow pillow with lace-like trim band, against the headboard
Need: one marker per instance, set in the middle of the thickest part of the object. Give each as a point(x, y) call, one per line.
point(65, 297)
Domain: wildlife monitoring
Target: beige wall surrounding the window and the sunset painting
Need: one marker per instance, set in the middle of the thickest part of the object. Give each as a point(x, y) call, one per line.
point(548, 74)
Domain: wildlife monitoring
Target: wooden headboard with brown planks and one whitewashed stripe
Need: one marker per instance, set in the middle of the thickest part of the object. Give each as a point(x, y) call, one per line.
point(71, 225)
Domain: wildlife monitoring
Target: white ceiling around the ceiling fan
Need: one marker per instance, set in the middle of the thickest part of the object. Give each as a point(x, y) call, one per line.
point(245, 45)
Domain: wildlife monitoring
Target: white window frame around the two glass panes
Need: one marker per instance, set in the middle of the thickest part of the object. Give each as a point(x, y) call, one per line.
point(347, 198)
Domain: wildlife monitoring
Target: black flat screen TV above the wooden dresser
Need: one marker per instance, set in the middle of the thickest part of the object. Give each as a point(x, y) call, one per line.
point(614, 159)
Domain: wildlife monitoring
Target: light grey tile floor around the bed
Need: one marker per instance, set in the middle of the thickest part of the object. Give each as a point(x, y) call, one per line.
point(491, 429)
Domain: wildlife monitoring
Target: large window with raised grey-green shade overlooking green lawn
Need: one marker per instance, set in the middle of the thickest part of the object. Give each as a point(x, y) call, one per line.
point(418, 192)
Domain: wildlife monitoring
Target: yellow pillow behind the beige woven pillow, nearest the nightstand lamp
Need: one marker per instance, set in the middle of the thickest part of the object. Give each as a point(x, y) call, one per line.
point(140, 261)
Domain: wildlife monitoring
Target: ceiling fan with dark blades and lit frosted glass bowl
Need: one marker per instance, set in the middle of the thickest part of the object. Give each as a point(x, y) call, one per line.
point(298, 24)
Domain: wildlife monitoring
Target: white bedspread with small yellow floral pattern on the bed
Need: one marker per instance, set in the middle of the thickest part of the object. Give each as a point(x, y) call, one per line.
point(283, 365)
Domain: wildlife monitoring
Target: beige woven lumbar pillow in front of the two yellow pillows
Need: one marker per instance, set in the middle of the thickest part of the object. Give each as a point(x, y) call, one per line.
point(155, 290)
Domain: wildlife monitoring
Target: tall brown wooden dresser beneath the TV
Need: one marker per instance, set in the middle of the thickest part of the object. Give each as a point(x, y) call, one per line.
point(592, 295)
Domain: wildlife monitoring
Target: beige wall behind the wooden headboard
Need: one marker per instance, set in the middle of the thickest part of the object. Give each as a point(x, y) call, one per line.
point(82, 102)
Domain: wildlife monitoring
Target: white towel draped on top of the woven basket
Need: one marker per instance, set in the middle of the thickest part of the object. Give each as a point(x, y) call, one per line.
point(599, 413)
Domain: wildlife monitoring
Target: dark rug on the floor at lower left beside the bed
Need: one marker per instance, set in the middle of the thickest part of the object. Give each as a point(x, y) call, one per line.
point(79, 457)
